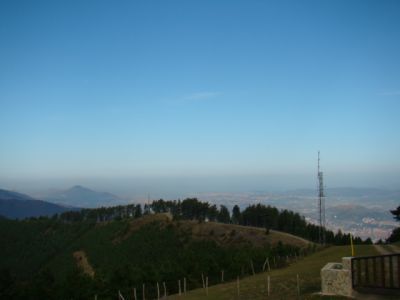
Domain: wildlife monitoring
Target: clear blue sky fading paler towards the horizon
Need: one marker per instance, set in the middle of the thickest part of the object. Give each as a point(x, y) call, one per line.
point(200, 89)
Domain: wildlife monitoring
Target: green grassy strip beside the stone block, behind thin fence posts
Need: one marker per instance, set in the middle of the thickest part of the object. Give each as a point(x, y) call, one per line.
point(283, 281)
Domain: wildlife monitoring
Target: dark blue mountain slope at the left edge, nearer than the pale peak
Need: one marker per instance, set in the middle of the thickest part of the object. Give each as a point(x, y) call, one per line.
point(14, 205)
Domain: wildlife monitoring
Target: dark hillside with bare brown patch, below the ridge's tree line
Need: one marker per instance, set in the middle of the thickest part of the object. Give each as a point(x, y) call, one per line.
point(126, 253)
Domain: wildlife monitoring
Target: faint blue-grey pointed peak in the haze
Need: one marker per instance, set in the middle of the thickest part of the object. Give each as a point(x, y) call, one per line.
point(79, 196)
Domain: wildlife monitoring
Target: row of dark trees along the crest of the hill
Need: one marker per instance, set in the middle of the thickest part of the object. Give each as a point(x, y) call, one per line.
point(192, 209)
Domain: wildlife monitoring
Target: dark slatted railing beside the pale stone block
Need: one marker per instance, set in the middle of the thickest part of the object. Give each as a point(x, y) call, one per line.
point(380, 272)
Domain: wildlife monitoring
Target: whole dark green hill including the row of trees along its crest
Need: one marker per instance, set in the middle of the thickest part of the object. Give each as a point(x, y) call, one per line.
point(79, 254)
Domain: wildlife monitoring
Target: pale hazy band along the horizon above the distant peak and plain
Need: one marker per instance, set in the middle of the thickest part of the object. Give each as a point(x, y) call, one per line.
point(179, 187)
